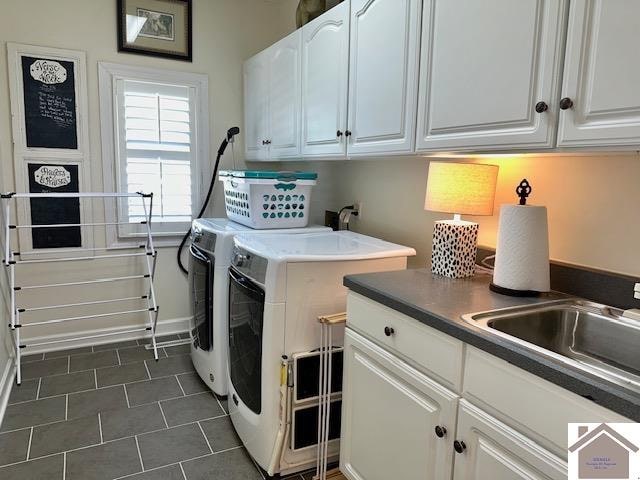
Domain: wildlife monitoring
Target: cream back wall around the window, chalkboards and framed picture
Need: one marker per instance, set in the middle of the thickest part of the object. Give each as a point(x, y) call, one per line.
point(225, 33)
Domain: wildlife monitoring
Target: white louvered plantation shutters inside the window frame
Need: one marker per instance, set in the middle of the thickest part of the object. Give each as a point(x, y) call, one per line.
point(156, 129)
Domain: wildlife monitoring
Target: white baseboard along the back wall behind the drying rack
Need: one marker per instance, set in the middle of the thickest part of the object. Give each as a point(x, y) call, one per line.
point(66, 341)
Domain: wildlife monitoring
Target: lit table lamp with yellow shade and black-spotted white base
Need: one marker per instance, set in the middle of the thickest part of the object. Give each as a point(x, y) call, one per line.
point(460, 189)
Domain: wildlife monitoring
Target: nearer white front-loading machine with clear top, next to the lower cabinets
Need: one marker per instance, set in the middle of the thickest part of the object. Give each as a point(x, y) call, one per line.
point(278, 288)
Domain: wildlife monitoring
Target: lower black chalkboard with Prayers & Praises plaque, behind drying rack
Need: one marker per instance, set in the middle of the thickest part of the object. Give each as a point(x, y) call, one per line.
point(45, 178)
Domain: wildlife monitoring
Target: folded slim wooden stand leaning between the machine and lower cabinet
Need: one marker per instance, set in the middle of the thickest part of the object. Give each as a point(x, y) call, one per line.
point(327, 322)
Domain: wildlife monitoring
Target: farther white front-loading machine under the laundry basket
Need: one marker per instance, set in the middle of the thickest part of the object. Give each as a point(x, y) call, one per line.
point(210, 256)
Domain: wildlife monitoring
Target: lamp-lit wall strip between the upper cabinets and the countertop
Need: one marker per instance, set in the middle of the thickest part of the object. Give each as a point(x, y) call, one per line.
point(593, 203)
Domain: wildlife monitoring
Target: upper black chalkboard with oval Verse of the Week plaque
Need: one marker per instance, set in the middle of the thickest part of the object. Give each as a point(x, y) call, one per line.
point(49, 103)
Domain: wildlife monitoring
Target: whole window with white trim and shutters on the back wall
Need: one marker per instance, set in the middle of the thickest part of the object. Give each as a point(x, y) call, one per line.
point(158, 136)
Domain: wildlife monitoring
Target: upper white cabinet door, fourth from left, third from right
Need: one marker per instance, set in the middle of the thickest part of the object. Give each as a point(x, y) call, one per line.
point(383, 65)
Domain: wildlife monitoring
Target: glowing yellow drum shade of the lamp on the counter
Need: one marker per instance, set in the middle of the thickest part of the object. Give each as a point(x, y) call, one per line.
point(461, 188)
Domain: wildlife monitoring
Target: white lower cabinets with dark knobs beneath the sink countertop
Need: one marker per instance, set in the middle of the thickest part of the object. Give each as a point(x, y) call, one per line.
point(400, 423)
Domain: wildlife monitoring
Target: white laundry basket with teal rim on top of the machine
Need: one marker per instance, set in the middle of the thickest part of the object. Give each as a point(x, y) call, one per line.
point(268, 199)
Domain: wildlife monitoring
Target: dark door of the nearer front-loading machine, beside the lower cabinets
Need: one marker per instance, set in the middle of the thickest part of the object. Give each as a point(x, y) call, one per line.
point(246, 313)
